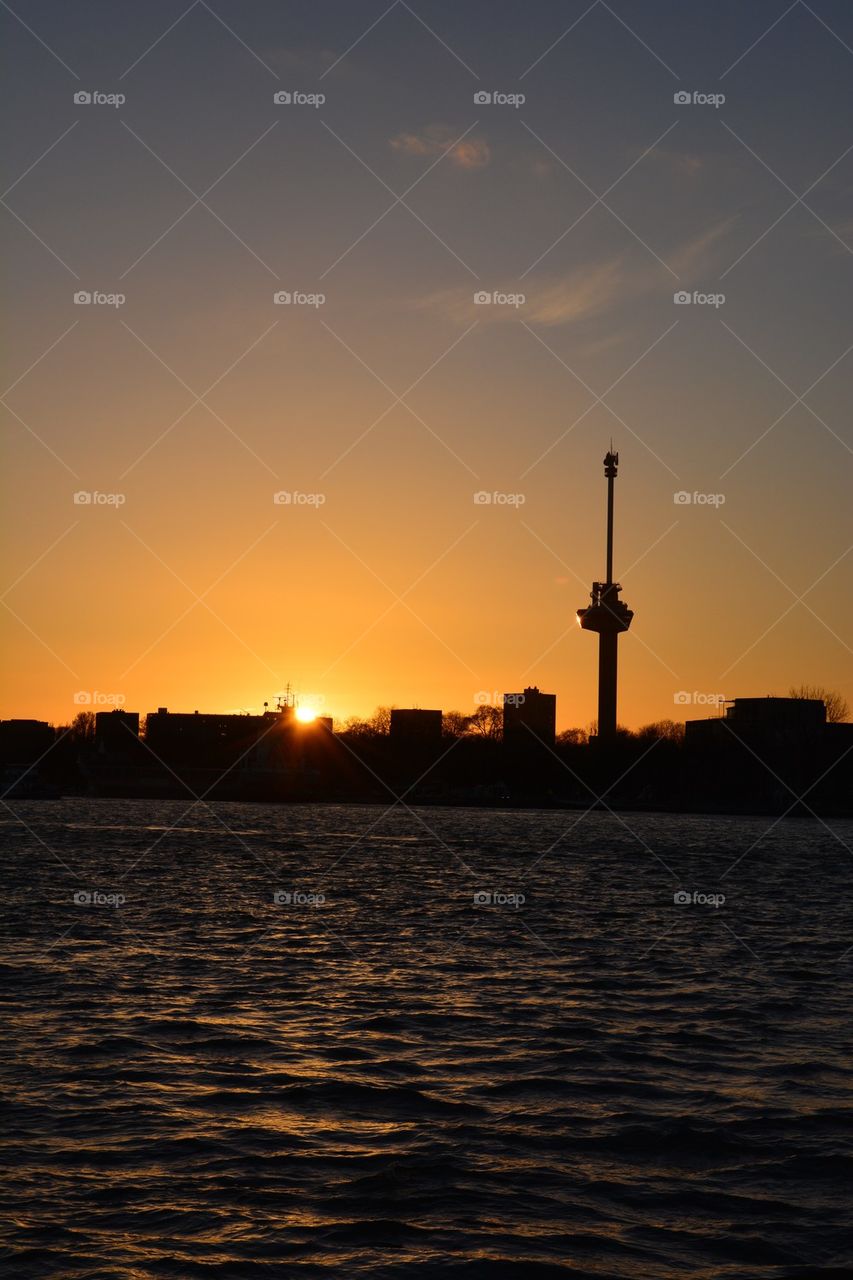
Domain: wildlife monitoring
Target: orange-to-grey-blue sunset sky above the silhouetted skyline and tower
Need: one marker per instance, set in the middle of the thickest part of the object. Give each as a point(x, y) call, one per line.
point(443, 455)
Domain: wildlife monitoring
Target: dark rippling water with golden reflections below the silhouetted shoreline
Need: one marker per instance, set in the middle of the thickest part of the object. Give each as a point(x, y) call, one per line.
point(398, 1082)
